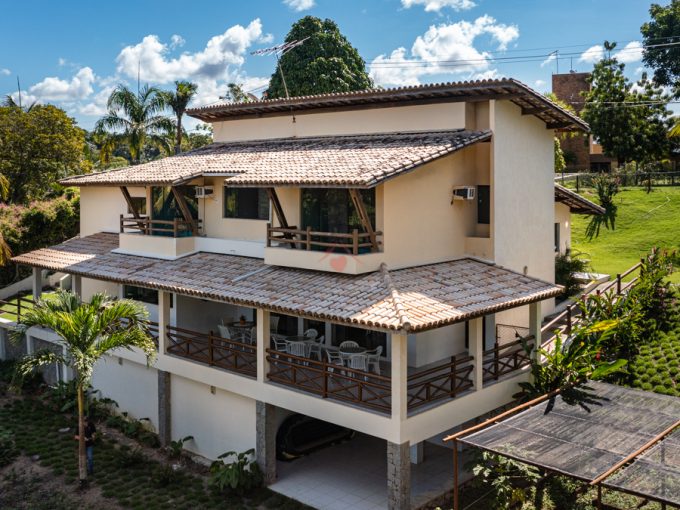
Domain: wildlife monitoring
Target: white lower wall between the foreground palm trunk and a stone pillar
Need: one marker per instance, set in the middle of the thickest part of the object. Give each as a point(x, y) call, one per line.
point(133, 386)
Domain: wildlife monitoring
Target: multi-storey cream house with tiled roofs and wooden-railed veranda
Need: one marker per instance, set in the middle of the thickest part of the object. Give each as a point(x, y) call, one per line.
point(417, 222)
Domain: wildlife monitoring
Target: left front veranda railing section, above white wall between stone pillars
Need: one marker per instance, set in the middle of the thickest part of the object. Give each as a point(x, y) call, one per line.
point(213, 350)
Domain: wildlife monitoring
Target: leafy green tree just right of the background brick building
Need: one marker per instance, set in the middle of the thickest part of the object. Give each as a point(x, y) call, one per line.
point(630, 122)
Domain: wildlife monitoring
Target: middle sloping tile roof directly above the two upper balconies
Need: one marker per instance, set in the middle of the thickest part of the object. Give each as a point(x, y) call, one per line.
point(360, 161)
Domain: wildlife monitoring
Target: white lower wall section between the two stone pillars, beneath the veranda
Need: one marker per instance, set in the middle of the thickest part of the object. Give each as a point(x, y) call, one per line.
point(219, 422)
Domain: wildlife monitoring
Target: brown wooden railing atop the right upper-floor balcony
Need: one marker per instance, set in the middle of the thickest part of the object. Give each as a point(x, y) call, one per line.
point(355, 242)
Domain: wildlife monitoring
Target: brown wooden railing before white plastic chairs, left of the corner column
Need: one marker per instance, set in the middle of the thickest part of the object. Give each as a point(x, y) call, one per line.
point(330, 381)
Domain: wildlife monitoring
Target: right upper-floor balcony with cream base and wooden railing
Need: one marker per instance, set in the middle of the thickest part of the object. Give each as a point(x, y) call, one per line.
point(349, 253)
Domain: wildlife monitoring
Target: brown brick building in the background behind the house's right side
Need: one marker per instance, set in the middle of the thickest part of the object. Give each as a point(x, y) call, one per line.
point(581, 152)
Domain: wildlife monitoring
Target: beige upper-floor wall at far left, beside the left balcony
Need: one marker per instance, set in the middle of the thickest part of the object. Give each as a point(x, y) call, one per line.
point(101, 207)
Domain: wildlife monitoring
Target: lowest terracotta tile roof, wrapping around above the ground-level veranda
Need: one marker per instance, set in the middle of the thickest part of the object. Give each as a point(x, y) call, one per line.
point(411, 299)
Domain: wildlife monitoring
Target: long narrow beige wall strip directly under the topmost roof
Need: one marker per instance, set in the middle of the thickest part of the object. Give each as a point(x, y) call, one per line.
point(373, 120)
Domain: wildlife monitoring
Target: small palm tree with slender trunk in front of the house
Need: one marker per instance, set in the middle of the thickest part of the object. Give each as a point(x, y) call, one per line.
point(87, 331)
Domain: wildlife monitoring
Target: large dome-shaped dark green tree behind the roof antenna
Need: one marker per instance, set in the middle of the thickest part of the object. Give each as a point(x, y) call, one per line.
point(325, 63)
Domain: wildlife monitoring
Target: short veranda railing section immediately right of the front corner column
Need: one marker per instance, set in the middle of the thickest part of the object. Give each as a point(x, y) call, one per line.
point(447, 380)
